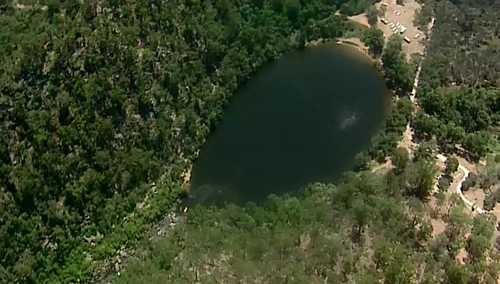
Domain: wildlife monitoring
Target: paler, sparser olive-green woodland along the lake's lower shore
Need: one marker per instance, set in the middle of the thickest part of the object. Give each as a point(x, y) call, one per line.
point(369, 228)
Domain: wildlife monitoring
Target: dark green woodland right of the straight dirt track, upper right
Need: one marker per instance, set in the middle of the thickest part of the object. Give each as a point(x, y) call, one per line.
point(458, 89)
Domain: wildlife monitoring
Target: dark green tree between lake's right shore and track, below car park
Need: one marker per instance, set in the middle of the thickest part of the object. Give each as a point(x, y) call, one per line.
point(395, 67)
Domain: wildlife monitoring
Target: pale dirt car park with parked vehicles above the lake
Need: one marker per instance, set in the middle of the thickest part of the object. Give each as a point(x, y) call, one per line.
point(400, 18)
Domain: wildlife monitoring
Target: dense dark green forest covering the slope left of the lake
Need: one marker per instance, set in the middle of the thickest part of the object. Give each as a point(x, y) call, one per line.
point(105, 105)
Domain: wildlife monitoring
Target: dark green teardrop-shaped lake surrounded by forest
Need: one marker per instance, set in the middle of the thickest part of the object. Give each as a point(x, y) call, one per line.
point(300, 120)
